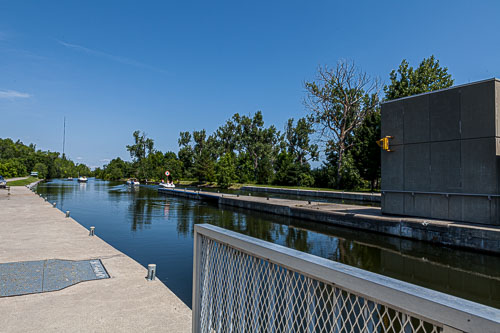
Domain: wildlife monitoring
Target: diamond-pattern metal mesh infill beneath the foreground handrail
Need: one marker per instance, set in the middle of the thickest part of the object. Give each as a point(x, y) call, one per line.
point(243, 293)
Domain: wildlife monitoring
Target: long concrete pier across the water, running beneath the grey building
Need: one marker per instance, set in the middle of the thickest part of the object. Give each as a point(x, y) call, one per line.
point(459, 234)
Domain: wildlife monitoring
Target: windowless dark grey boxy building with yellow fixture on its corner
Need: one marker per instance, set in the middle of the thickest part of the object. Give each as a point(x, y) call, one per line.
point(444, 158)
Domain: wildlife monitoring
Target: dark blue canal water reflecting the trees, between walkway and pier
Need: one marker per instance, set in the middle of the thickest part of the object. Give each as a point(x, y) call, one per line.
point(156, 228)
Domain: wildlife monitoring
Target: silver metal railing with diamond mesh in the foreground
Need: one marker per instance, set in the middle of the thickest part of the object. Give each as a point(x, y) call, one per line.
point(243, 284)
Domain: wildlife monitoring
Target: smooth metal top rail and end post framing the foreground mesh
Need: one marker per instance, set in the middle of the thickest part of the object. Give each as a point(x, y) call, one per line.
point(431, 305)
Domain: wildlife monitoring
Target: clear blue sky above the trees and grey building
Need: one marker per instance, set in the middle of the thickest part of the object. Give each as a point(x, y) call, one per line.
point(111, 67)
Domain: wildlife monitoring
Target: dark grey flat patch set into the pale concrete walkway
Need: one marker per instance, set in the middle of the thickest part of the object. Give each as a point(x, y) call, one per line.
point(28, 277)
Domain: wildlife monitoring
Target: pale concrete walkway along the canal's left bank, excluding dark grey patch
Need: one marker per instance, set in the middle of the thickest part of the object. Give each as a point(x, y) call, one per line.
point(30, 229)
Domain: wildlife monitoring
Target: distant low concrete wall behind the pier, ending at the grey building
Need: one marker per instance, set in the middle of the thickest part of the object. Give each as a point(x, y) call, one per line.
point(356, 196)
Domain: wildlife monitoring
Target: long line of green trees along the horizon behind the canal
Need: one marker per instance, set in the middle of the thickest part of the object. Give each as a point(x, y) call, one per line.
point(342, 123)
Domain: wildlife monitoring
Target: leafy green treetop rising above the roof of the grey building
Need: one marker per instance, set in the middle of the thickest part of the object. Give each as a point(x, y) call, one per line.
point(406, 81)
